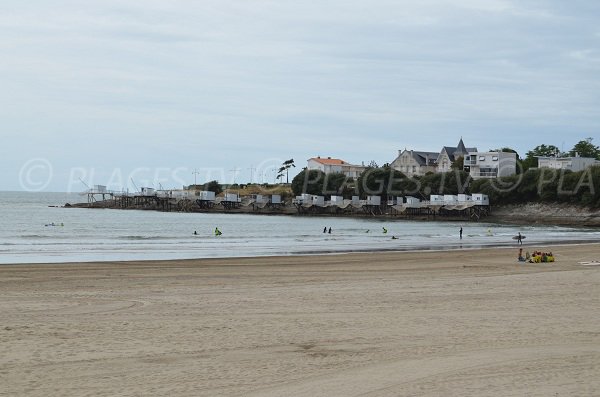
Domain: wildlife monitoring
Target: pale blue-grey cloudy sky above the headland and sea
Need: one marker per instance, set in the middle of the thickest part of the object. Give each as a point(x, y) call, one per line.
point(114, 90)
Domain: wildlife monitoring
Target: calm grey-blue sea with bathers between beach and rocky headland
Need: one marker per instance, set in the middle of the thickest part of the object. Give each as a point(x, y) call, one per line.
point(82, 234)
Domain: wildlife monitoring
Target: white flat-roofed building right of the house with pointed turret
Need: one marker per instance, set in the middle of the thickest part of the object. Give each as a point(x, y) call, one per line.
point(490, 164)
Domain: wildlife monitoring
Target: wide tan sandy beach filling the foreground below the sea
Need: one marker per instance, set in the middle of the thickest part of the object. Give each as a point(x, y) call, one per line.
point(462, 323)
